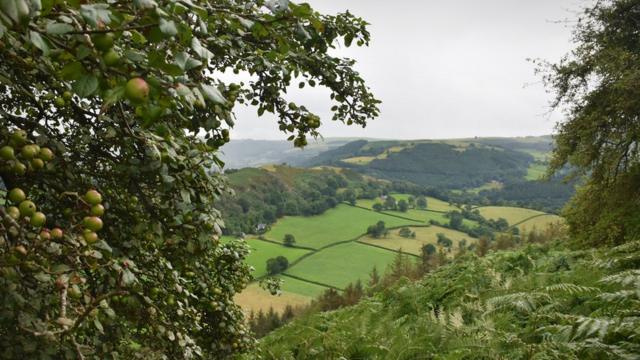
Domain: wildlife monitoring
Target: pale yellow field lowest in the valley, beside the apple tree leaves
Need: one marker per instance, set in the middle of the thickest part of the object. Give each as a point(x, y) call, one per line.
point(254, 298)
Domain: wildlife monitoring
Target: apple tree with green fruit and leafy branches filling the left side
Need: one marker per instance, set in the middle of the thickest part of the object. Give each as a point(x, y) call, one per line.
point(128, 97)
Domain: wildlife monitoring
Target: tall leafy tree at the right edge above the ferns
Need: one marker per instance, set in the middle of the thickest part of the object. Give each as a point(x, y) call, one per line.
point(597, 85)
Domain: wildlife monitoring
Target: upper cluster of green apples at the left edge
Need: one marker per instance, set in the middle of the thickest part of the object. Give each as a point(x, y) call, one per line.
point(20, 156)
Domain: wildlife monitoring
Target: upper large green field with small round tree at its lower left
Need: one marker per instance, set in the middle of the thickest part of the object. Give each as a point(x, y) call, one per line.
point(342, 223)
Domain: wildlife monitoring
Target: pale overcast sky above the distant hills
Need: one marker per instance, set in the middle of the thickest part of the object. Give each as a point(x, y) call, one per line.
point(446, 69)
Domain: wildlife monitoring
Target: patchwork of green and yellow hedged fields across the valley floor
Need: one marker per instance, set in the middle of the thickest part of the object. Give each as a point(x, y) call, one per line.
point(333, 250)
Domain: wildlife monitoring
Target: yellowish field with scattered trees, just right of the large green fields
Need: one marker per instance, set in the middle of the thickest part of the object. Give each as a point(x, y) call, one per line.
point(424, 235)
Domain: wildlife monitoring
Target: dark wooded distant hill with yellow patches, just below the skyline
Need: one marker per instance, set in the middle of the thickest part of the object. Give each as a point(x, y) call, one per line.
point(452, 164)
